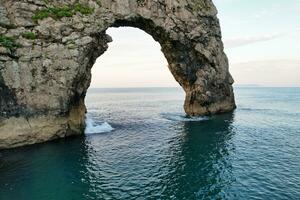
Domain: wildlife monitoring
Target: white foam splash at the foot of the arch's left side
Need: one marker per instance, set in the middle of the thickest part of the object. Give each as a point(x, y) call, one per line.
point(93, 127)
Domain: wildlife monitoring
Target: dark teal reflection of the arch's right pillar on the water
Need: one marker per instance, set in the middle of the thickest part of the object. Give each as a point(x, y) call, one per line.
point(200, 162)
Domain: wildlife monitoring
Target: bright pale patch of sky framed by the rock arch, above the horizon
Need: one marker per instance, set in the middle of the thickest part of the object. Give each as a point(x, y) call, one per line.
point(133, 59)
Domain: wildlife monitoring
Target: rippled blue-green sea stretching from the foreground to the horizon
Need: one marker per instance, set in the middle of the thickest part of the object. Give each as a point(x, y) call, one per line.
point(154, 152)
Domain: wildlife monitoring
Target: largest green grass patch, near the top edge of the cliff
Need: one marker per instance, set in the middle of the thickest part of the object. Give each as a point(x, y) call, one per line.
point(60, 12)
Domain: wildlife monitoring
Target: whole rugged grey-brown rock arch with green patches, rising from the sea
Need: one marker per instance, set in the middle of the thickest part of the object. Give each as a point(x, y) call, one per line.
point(47, 49)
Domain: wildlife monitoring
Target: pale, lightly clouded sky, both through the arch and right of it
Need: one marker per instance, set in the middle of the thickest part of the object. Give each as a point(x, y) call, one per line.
point(261, 38)
